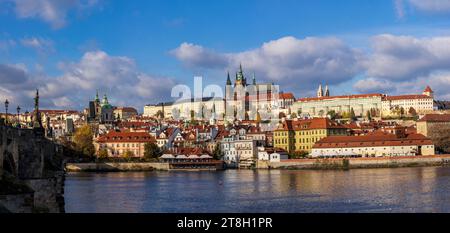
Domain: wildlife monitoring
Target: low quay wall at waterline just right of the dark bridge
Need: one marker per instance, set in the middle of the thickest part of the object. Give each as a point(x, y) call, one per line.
point(86, 167)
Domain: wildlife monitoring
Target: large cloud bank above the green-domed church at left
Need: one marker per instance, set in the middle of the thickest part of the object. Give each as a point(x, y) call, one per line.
point(116, 76)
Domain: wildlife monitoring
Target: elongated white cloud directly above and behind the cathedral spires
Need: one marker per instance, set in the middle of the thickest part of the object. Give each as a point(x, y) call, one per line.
point(288, 60)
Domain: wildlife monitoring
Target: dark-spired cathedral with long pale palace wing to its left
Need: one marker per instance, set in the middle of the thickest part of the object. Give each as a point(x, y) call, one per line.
point(242, 100)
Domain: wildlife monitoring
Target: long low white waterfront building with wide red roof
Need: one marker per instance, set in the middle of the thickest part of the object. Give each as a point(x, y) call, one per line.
point(379, 144)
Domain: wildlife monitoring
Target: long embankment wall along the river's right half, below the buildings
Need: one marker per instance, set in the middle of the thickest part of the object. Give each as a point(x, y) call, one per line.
point(353, 163)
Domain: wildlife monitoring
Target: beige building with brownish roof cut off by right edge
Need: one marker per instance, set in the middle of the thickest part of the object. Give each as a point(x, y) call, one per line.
point(432, 122)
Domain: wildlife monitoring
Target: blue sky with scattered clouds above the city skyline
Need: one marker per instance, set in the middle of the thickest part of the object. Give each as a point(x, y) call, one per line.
point(136, 51)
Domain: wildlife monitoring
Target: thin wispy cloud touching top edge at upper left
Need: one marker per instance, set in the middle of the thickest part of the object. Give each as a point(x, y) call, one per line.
point(53, 12)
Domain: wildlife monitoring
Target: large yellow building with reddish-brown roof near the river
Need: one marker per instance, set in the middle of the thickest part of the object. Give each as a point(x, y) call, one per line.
point(301, 135)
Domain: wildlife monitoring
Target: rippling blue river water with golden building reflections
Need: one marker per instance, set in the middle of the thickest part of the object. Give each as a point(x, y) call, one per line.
point(262, 191)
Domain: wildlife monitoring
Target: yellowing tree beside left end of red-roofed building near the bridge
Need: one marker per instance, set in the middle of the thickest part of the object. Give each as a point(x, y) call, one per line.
point(83, 139)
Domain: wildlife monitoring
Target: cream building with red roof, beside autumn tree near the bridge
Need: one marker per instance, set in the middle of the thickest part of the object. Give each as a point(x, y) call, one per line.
point(117, 144)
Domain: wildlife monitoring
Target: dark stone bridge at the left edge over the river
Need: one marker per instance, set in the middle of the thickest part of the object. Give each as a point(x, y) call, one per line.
point(31, 171)
